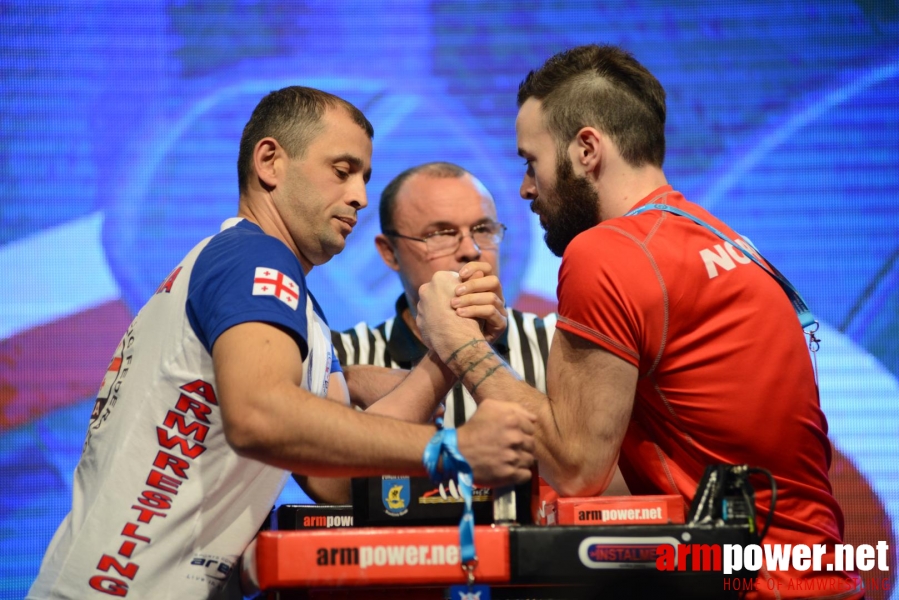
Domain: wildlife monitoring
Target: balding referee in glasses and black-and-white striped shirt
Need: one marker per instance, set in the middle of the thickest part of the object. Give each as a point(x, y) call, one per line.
point(435, 217)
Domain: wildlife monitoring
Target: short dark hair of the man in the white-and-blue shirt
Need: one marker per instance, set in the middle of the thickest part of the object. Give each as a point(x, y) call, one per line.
point(292, 116)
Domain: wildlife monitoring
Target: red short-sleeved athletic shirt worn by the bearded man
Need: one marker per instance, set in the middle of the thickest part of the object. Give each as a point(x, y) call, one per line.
point(724, 370)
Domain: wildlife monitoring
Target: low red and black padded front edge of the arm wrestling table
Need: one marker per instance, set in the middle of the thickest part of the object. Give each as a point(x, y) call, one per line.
point(516, 561)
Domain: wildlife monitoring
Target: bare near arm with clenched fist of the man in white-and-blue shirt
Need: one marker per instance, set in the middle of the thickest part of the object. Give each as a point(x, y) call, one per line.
point(268, 417)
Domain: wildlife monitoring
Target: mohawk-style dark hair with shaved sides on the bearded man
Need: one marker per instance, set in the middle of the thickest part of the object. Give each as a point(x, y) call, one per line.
point(605, 87)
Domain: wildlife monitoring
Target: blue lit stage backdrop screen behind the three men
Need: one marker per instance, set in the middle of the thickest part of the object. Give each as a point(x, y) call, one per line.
point(119, 125)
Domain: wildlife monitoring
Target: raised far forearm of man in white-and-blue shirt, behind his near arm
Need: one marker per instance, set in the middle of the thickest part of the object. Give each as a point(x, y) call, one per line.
point(418, 395)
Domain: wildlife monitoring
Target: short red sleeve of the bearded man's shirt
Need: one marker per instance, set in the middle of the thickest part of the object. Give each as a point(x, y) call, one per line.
point(612, 294)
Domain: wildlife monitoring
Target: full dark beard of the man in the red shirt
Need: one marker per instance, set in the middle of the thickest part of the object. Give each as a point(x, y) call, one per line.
point(568, 208)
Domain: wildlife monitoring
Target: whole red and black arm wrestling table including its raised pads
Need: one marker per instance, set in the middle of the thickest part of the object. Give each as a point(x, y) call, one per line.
point(591, 559)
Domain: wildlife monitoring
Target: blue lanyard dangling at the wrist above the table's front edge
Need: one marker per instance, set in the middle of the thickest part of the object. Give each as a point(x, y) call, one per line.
point(444, 444)
